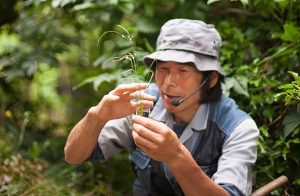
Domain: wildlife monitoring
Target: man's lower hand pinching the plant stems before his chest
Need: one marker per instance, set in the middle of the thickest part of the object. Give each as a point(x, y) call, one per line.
point(156, 139)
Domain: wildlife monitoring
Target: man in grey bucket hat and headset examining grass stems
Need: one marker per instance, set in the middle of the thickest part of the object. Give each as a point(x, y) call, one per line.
point(195, 140)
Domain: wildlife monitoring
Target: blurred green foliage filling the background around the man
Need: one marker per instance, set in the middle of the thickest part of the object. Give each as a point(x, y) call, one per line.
point(53, 67)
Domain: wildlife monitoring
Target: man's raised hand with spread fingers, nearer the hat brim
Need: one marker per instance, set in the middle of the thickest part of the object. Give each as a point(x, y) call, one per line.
point(119, 102)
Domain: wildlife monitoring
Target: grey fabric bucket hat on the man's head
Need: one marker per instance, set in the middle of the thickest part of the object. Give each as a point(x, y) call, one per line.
point(188, 41)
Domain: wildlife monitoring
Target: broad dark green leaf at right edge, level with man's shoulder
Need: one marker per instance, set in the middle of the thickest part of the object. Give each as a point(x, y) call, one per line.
point(291, 122)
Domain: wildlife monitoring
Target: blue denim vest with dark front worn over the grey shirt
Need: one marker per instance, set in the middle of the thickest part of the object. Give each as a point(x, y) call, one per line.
point(205, 145)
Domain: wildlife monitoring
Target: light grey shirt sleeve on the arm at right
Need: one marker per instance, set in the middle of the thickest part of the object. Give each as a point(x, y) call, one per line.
point(238, 157)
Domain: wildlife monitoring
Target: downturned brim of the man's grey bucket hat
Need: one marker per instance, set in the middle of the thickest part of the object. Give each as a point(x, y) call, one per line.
point(202, 62)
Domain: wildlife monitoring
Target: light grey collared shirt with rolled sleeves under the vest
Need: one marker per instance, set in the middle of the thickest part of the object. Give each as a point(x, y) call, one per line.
point(238, 150)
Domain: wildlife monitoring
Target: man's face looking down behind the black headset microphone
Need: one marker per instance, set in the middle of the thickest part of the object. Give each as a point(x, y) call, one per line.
point(176, 80)
